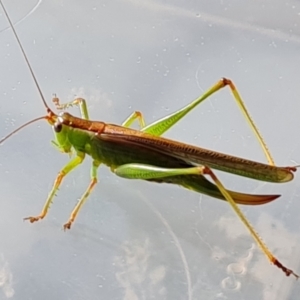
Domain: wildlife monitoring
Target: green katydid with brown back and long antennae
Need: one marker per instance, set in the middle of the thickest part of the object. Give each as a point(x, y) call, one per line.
point(144, 154)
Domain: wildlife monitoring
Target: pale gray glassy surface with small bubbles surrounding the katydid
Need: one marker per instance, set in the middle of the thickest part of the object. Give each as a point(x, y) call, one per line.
point(136, 240)
